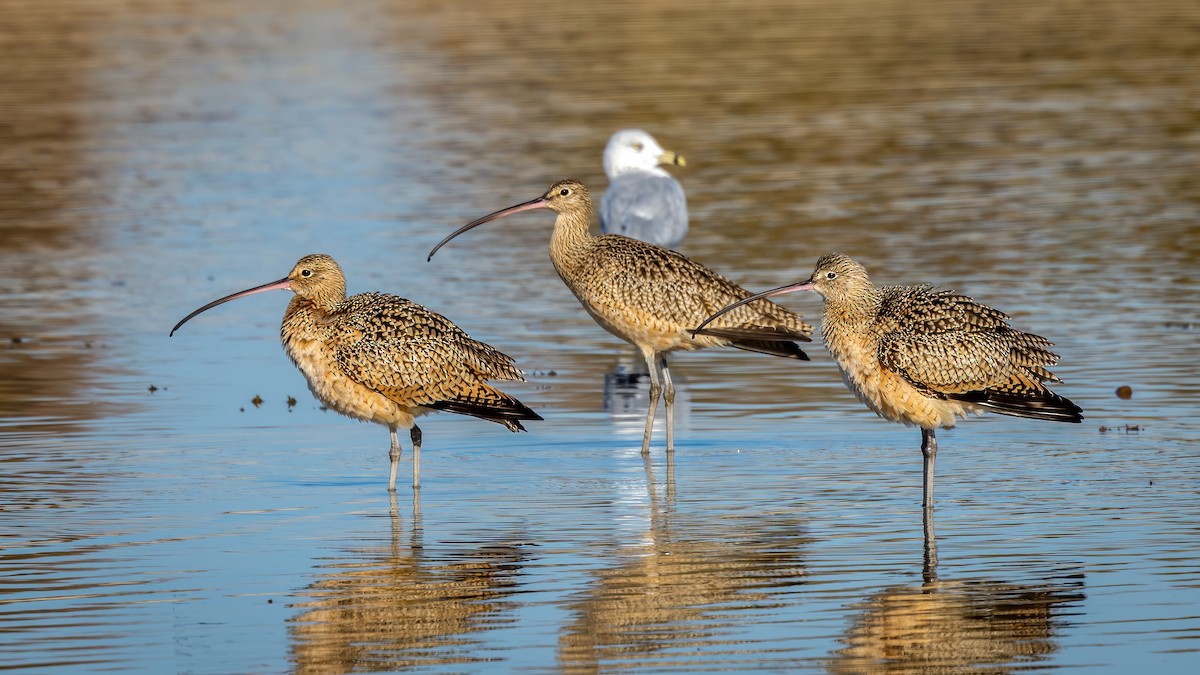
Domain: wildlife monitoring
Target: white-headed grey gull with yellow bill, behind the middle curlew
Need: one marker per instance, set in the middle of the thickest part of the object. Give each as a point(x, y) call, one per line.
point(643, 201)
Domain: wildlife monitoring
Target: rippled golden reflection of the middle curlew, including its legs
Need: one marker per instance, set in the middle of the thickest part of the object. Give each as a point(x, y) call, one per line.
point(677, 588)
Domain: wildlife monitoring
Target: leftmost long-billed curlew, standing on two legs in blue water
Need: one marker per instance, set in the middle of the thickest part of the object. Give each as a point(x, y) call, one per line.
point(386, 360)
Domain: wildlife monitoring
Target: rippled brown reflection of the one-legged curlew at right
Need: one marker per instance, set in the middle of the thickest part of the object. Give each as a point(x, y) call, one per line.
point(977, 626)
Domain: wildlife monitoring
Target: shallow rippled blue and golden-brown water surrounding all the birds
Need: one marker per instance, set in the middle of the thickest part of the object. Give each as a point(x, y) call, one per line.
point(157, 156)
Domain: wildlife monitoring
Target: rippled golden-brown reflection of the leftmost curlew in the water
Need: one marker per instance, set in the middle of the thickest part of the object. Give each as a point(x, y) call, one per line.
point(397, 607)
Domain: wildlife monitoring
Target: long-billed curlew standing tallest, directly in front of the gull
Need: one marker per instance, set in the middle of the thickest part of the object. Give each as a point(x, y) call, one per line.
point(652, 297)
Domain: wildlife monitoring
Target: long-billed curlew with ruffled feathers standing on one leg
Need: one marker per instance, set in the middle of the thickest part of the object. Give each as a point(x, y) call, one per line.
point(926, 357)
